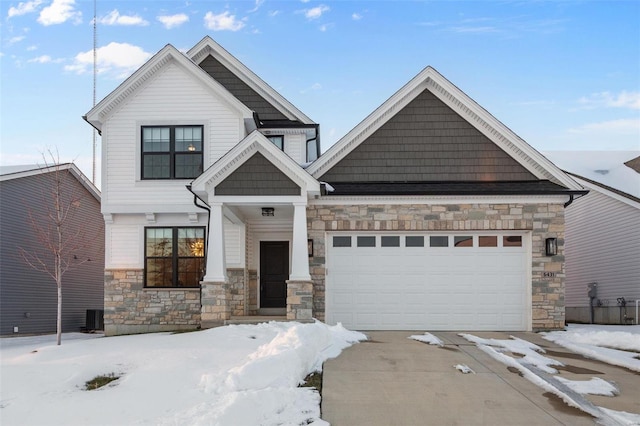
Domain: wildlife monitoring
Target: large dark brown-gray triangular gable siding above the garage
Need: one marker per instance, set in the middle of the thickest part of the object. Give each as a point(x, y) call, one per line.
point(427, 141)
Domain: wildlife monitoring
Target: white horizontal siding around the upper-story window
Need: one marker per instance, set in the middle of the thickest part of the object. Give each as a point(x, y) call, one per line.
point(171, 97)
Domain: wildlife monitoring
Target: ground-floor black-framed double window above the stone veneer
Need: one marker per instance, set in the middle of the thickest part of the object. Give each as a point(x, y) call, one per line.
point(174, 257)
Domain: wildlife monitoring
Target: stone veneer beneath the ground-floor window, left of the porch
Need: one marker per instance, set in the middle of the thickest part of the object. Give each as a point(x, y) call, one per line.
point(130, 308)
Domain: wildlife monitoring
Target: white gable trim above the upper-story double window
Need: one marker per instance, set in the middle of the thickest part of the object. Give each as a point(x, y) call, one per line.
point(98, 114)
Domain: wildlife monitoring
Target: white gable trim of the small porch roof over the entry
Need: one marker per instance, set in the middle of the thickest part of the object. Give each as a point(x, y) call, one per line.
point(239, 154)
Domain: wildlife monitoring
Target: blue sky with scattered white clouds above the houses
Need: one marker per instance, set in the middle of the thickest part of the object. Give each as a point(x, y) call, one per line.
point(563, 75)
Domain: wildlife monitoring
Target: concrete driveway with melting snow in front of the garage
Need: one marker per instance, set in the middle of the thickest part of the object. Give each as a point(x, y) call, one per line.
point(393, 380)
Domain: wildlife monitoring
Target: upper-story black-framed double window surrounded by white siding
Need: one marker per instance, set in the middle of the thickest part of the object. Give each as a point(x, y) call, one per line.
point(171, 152)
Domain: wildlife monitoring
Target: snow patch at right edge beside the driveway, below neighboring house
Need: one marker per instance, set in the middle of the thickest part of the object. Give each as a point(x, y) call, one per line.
point(615, 345)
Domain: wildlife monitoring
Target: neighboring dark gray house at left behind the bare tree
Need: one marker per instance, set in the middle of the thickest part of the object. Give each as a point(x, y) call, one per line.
point(28, 298)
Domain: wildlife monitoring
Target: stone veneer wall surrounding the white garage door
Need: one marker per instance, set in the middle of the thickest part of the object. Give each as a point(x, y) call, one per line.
point(544, 220)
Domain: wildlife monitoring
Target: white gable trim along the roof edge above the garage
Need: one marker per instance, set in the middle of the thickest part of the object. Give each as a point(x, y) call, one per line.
point(458, 101)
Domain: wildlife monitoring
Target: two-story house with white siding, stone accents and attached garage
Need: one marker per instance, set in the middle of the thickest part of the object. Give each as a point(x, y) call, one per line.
point(429, 214)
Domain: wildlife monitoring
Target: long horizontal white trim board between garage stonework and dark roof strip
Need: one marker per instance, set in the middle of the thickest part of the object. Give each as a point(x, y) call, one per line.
point(439, 199)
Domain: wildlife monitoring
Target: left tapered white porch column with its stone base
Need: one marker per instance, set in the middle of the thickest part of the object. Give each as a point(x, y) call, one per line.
point(215, 294)
